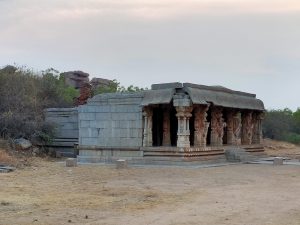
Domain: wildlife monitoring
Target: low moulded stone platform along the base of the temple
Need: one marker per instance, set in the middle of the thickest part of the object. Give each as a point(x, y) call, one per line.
point(146, 155)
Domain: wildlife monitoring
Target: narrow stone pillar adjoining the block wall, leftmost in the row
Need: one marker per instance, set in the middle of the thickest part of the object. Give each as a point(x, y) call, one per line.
point(147, 137)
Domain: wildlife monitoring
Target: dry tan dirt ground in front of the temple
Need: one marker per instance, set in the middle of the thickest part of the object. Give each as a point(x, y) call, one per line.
point(47, 192)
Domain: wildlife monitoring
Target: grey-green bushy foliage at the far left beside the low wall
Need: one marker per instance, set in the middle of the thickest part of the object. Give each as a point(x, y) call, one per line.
point(23, 96)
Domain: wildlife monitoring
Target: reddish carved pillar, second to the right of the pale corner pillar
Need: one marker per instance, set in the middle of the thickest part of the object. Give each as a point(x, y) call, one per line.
point(217, 126)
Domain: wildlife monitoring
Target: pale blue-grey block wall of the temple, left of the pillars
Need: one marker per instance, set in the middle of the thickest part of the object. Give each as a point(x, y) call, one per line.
point(111, 121)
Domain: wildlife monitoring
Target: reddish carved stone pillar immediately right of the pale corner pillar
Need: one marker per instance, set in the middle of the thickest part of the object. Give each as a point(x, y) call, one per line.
point(201, 125)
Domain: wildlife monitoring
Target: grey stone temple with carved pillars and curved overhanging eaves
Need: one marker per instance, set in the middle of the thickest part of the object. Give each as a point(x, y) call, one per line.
point(172, 121)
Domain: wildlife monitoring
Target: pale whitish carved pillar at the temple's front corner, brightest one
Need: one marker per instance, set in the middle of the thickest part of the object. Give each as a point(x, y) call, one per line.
point(183, 133)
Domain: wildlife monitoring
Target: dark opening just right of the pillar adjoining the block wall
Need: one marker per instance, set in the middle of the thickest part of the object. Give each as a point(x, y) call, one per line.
point(157, 131)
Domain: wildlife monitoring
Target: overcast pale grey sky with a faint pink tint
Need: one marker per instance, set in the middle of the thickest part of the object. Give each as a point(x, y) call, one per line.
point(246, 45)
